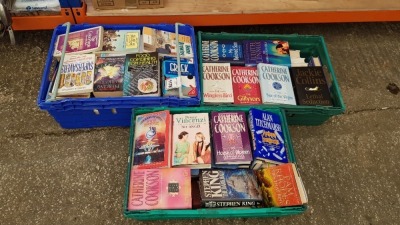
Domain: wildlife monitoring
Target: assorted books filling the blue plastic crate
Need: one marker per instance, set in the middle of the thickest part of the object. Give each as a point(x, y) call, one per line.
point(116, 63)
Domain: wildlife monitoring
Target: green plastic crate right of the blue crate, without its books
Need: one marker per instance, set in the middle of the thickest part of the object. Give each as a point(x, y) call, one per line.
point(309, 45)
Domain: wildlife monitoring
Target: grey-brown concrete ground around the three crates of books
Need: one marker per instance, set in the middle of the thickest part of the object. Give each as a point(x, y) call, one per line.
point(350, 164)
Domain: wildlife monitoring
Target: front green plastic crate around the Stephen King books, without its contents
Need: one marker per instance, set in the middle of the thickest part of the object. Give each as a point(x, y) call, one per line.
point(208, 213)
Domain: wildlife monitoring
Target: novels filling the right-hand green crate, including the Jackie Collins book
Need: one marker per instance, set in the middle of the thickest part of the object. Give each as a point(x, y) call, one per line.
point(253, 72)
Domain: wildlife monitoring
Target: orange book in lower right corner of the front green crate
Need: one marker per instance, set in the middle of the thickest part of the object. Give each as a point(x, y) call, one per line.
point(281, 186)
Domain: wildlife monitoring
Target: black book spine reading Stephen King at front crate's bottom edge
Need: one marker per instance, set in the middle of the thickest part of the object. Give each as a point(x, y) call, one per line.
point(230, 203)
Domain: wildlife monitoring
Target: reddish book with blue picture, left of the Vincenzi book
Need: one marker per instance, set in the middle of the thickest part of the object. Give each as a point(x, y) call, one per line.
point(152, 144)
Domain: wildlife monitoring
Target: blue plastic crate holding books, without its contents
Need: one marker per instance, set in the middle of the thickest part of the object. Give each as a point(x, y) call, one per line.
point(115, 111)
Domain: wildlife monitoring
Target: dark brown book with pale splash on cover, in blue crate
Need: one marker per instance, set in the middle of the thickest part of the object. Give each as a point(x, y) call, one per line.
point(108, 76)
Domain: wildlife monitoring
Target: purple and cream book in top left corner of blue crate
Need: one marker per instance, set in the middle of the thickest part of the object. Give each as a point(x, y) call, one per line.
point(83, 41)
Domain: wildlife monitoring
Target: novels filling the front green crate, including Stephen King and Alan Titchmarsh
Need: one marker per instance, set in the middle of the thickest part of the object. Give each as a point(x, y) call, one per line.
point(212, 160)
